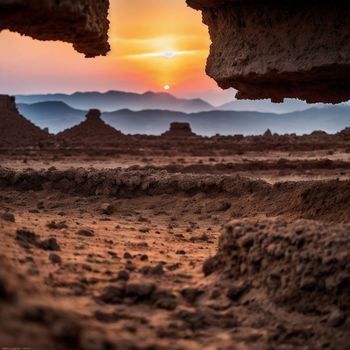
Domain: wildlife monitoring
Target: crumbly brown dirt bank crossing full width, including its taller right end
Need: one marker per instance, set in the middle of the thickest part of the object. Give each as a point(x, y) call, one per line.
point(318, 200)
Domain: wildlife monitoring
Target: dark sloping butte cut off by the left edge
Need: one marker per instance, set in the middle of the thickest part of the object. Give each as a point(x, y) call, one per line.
point(15, 130)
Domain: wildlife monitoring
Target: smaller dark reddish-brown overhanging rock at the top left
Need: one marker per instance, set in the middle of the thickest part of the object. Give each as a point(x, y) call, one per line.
point(83, 23)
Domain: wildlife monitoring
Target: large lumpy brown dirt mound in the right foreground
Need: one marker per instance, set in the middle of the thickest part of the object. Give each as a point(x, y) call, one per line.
point(301, 265)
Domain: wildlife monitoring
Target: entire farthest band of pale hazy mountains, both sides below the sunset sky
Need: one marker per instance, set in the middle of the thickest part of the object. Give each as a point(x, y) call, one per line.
point(115, 100)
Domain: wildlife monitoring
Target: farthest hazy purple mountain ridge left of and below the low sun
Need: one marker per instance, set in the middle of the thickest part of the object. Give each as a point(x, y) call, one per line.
point(115, 100)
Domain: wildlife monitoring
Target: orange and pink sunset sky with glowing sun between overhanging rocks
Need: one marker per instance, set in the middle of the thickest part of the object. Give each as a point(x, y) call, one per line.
point(157, 45)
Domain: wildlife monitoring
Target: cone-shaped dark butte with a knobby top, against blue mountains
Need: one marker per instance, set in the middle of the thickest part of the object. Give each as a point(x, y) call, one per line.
point(93, 130)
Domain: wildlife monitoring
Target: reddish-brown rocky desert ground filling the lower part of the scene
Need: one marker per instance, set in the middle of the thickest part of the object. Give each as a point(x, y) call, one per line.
point(241, 251)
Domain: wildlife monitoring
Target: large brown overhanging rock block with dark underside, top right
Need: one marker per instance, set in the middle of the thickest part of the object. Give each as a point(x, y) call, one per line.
point(271, 49)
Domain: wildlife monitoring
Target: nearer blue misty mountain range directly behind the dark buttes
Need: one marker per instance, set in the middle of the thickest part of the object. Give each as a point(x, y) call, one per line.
point(58, 116)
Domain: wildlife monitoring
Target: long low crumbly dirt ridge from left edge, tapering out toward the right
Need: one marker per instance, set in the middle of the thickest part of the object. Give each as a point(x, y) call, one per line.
point(121, 182)
